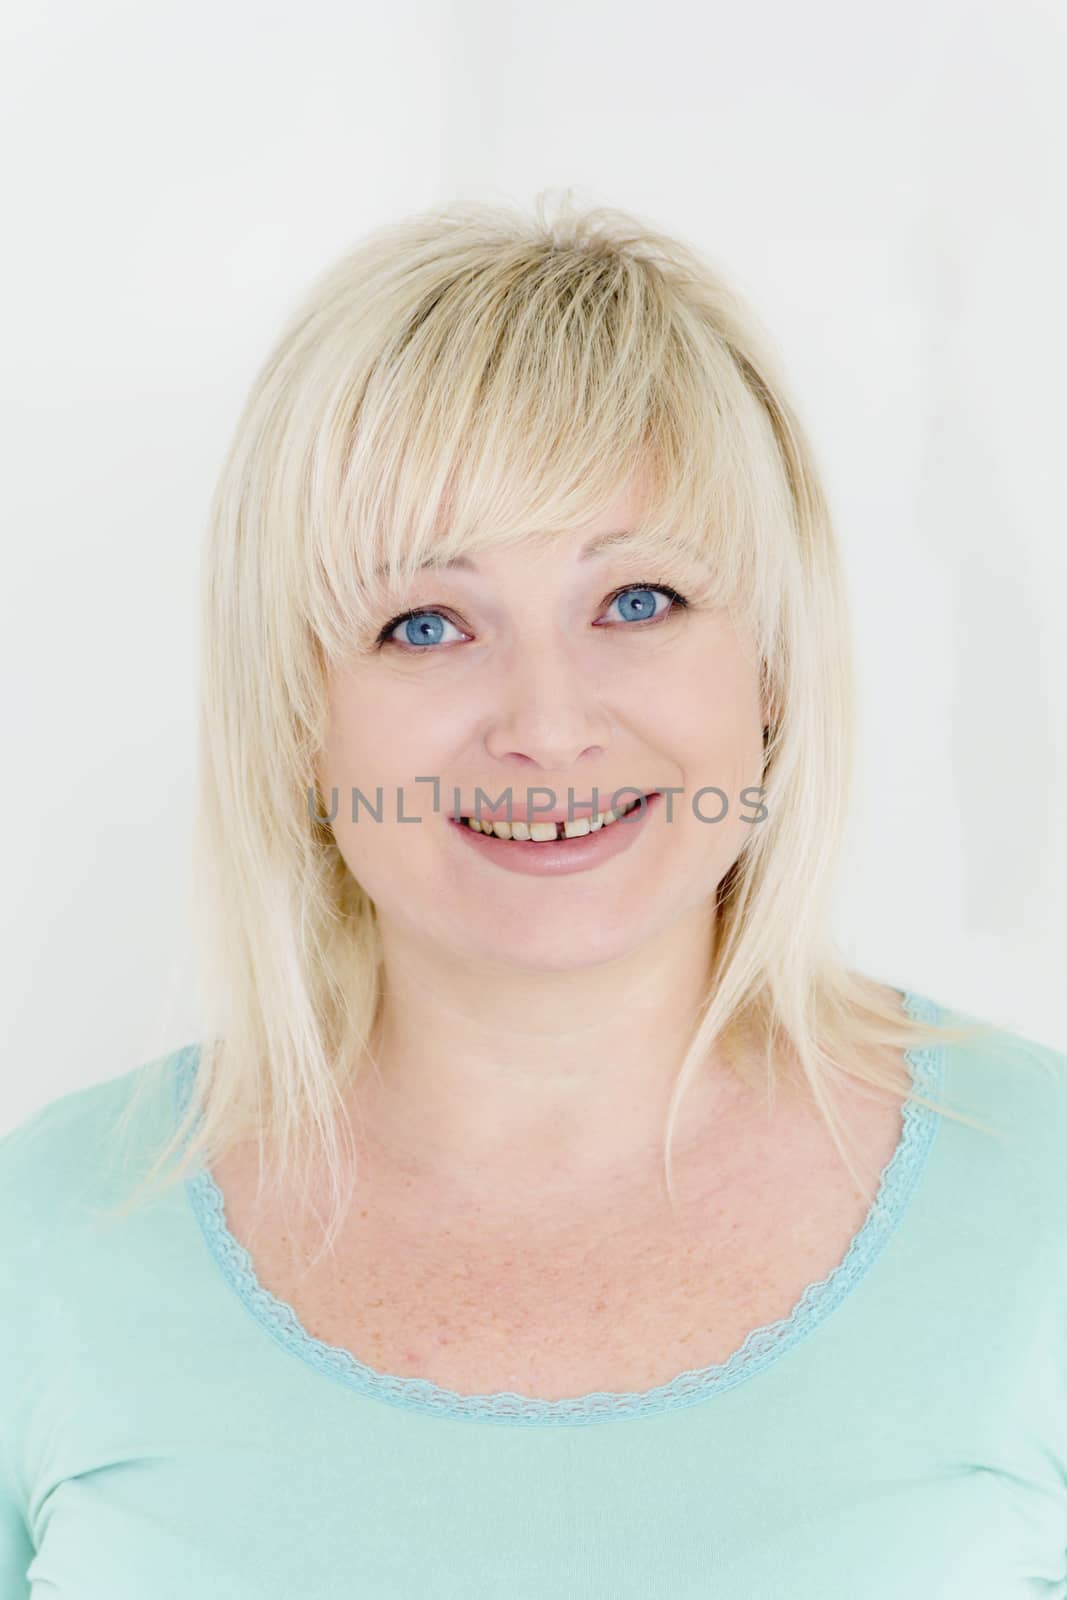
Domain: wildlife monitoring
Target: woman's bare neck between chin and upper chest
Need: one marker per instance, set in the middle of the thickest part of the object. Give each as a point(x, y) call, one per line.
point(527, 1081)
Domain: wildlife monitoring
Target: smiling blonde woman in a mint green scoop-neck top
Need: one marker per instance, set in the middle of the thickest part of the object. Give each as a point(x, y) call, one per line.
point(549, 1209)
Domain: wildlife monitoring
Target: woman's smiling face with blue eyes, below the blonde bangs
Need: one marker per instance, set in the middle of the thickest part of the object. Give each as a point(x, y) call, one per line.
point(529, 674)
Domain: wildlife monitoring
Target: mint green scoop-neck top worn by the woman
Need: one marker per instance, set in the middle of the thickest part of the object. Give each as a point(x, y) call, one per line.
point(170, 1431)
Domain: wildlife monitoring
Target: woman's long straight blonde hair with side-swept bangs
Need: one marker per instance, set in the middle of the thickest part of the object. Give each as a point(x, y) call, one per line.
point(462, 380)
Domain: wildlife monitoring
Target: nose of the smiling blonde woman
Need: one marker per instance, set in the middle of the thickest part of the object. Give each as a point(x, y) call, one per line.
point(546, 713)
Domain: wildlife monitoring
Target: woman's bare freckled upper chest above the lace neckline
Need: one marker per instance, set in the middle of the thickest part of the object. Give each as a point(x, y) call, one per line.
point(620, 1297)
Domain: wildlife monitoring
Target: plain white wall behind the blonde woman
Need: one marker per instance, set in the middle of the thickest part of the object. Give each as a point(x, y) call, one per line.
point(884, 183)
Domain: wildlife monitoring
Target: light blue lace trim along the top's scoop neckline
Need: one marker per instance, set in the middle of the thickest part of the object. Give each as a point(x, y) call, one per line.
point(762, 1348)
